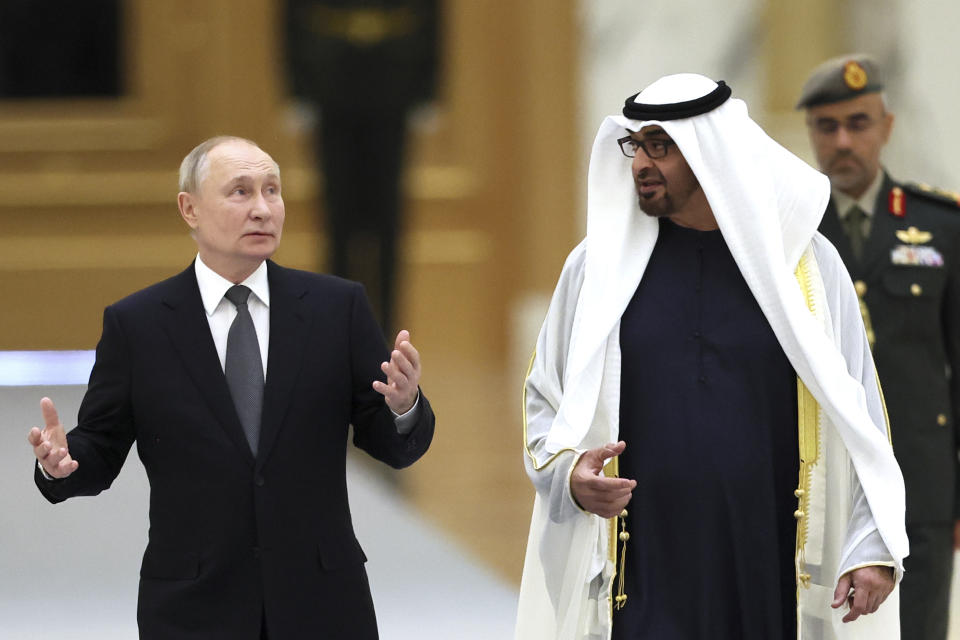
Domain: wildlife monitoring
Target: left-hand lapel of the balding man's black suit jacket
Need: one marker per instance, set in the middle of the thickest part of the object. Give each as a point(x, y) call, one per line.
point(186, 324)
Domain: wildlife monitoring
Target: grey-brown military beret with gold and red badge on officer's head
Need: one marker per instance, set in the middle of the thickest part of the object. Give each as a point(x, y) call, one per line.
point(841, 78)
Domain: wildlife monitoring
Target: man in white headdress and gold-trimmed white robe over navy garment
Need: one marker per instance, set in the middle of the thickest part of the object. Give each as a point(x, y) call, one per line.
point(704, 356)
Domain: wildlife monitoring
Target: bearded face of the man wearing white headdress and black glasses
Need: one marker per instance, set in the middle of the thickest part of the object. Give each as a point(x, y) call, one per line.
point(664, 185)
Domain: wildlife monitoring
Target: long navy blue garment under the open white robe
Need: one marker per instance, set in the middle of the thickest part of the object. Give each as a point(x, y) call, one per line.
point(708, 409)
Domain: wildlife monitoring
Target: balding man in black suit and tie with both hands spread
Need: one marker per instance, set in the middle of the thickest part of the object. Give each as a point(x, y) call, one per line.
point(240, 406)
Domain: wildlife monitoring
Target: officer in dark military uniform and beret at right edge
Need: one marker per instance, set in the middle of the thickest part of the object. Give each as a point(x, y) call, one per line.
point(901, 244)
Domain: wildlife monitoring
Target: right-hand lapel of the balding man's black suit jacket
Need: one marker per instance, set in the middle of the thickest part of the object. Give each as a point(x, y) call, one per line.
point(288, 334)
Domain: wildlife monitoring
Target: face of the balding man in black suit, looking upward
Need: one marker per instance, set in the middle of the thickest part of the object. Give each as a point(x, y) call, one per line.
point(237, 213)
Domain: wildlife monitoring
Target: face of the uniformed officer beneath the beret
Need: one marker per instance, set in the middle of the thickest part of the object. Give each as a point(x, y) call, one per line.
point(847, 138)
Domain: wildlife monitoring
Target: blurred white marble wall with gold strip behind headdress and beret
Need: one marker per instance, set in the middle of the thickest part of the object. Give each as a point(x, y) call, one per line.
point(765, 48)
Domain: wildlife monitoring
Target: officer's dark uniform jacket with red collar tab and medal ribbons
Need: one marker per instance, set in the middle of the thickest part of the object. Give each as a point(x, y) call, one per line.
point(915, 313)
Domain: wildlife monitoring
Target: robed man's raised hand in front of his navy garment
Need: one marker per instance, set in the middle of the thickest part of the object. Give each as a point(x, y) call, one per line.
point(595, 492)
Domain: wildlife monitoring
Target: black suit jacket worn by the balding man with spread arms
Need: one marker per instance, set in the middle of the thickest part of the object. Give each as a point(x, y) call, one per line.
point(233, 537)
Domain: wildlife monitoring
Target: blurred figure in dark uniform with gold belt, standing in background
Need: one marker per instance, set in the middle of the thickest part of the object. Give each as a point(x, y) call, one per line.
point(363, 65)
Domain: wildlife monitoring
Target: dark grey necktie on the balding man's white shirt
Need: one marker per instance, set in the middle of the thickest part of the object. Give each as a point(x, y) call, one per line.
point(243, 367)
